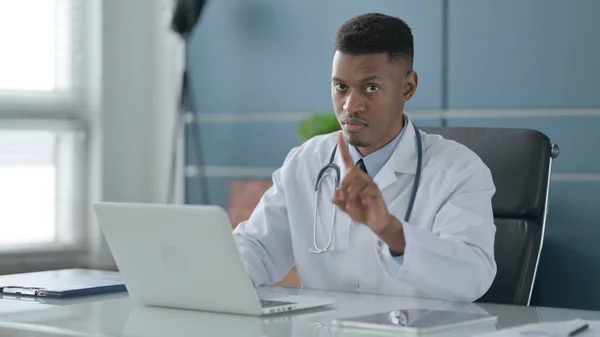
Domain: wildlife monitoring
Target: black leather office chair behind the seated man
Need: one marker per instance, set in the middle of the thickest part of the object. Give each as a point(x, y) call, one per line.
point(521, 163)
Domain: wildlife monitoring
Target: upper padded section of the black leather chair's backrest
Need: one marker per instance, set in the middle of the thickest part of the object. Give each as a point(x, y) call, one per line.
point(519, 160)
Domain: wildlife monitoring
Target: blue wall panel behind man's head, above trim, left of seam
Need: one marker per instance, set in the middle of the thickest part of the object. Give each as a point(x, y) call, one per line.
point(275, 56)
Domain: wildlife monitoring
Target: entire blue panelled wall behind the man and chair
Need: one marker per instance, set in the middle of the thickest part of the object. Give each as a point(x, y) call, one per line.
point(273, 59)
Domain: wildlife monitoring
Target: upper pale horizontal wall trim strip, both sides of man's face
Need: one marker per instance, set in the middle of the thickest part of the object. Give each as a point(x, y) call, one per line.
point(298, 116)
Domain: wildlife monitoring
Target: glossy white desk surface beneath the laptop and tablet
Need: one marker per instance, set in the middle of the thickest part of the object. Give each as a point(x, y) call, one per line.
point(116, 315)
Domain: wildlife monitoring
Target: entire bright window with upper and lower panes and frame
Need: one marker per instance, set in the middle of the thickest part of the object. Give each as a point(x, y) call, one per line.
point(42, 139)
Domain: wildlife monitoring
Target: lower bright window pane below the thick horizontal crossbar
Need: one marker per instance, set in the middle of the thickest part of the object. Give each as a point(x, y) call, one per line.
point(28, 180)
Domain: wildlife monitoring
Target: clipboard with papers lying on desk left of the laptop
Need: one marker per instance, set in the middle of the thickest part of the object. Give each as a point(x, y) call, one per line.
point(73, 286)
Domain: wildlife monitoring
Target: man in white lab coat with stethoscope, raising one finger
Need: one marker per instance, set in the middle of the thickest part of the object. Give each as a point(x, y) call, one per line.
point(362, 240)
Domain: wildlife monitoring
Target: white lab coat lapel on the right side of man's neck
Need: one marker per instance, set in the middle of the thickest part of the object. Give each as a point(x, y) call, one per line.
point(403, 159)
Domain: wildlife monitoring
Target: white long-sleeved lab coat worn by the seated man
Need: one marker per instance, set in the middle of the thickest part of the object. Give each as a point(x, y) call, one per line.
point(449, 239)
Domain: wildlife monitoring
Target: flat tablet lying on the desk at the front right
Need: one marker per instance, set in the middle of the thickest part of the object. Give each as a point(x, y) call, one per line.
point(417, 321)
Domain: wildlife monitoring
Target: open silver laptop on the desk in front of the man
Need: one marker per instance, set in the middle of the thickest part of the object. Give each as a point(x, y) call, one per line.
point(185, 256)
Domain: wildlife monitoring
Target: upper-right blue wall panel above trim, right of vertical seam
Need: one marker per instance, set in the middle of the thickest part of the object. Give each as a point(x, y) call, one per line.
point(523, 54)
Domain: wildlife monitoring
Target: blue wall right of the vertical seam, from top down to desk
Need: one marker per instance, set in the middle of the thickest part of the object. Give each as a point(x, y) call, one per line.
point(540, 54)
